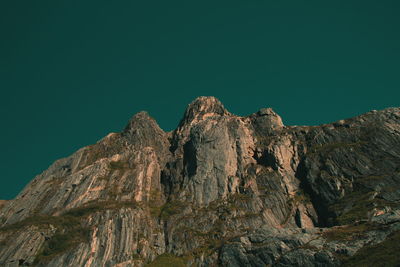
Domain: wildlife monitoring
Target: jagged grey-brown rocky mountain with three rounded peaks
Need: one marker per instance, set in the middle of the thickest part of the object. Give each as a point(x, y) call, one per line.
point(220, 190)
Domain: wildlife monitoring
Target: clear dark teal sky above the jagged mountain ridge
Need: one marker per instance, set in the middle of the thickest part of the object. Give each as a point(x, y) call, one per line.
point(73, 71)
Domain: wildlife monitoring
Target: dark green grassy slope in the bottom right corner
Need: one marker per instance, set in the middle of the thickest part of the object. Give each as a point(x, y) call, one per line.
point(385, 253)
